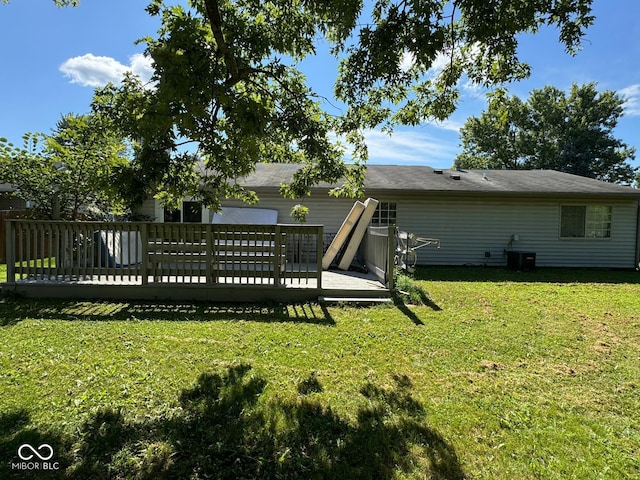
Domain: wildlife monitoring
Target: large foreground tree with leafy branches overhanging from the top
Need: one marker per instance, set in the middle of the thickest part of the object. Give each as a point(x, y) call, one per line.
point(226, 81)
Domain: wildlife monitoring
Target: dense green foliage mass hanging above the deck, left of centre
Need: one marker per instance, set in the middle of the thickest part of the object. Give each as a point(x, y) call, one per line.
point(220, 91)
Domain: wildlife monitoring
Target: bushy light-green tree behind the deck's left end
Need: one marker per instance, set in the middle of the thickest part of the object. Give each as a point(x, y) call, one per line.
point(68, 173)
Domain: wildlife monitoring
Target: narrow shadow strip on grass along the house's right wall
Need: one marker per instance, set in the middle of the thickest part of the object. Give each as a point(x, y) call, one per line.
point(542, 275)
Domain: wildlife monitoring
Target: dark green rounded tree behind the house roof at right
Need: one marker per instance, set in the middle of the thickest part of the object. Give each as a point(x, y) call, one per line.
point(551, 130)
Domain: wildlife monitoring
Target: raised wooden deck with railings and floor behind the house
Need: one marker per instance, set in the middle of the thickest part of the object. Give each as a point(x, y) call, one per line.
point(147, 261)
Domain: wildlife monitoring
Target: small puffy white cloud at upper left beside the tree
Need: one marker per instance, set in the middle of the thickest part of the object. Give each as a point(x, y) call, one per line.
point(95, 71)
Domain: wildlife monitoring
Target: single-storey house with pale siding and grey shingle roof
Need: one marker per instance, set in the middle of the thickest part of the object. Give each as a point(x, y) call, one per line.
point(478, 215)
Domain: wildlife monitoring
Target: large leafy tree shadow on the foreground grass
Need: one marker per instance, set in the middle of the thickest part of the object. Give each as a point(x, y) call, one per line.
point(226, 429)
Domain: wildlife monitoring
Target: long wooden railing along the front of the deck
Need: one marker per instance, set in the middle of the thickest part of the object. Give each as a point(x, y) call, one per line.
point(144, 252)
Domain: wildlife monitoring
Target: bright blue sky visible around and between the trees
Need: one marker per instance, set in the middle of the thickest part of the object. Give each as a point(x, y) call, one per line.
point(52, 59)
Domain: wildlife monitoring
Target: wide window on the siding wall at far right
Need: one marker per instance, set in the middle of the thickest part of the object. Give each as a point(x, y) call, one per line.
point(592, 221)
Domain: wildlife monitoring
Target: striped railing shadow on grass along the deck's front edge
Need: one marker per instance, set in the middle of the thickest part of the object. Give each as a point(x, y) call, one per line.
point(14, 310)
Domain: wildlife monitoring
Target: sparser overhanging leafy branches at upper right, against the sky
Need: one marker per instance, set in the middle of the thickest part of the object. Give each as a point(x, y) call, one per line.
point(414, 54)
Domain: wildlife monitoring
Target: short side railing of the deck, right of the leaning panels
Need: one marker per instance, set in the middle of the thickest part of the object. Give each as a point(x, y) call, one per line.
point(379, 252)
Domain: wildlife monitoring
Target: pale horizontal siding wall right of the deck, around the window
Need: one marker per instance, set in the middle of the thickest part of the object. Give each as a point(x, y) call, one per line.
point(470, 227)
